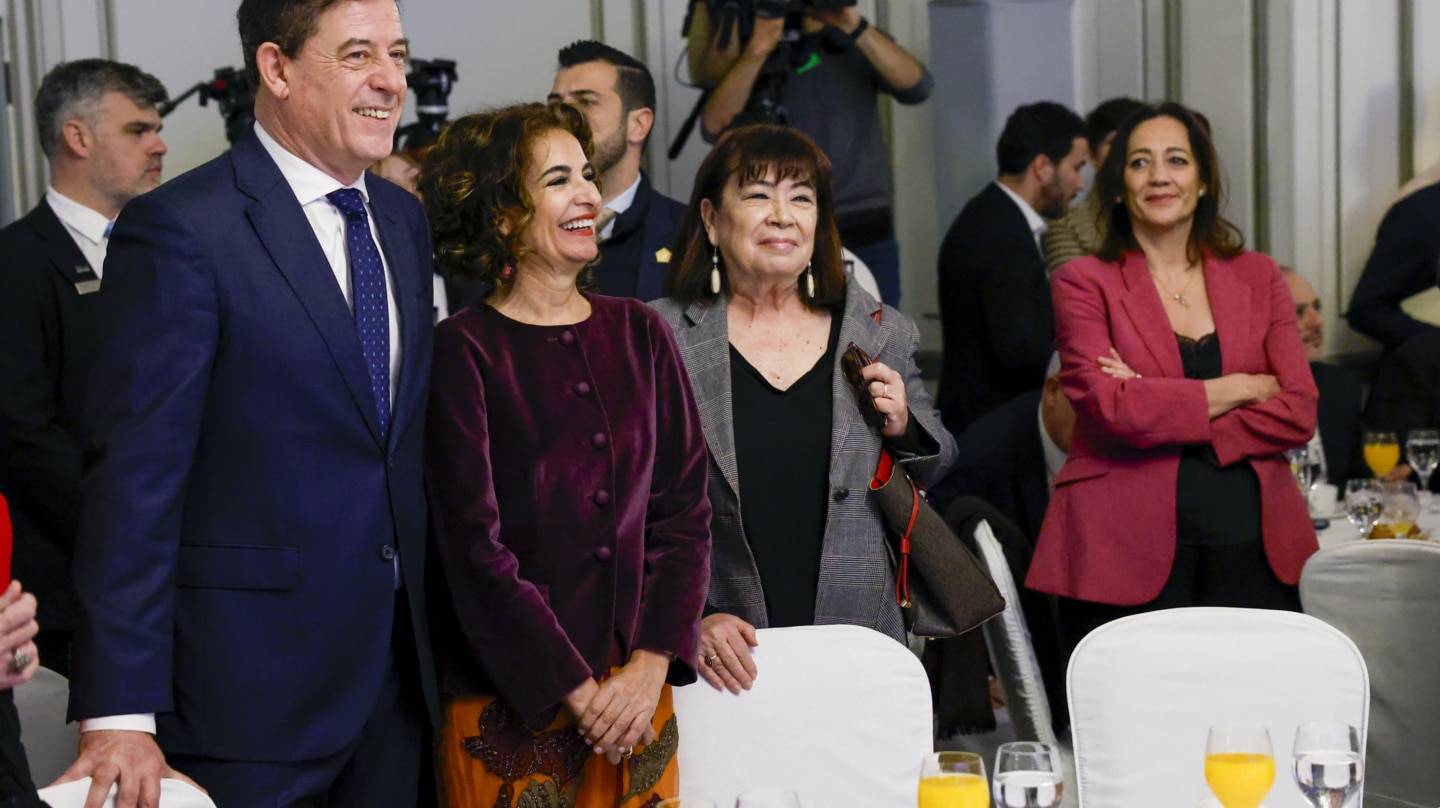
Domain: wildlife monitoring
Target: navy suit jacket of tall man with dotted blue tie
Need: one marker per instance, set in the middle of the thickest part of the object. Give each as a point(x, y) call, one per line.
point(241, 508)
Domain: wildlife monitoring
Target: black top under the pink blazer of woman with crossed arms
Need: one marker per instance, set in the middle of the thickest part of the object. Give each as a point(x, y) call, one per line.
point(1213, 505)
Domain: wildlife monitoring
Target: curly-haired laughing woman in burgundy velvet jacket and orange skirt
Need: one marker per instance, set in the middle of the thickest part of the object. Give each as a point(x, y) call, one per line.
point(567, 473)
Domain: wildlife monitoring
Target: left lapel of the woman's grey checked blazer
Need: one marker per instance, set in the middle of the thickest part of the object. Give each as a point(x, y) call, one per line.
point(706, 351)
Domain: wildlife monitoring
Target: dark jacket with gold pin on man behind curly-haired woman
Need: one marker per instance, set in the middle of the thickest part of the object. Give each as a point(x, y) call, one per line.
point(637, 256)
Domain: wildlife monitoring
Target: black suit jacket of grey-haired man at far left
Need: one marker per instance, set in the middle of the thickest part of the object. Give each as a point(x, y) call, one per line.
point(48, 310)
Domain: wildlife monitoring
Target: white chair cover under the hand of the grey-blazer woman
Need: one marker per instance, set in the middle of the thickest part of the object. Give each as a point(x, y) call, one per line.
point(839, 714)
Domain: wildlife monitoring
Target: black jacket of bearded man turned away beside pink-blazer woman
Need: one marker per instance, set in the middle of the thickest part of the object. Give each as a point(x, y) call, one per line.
point(1000, 326)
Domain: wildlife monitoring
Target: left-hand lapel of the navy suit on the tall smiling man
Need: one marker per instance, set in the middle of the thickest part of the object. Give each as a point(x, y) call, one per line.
point(286, 233)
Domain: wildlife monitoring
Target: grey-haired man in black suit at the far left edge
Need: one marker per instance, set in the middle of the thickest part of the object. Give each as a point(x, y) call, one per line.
point(100, 132)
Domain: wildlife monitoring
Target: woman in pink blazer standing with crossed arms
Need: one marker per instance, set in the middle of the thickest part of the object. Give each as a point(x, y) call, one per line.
point(1184, 364)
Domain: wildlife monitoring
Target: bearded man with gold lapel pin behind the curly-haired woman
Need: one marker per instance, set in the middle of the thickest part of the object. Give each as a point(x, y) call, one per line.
point(617, 94)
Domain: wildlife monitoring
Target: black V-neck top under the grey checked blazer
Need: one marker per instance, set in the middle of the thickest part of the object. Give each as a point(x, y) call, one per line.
point(783, 462)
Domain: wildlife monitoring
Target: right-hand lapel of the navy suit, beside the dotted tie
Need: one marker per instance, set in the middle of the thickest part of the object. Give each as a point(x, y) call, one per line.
point(410, 293)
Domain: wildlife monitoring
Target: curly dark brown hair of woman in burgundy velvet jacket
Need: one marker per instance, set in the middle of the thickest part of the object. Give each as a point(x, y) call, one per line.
point(474, 184)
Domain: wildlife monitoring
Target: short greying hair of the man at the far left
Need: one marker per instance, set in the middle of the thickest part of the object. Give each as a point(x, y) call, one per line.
point(74, 90)
